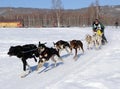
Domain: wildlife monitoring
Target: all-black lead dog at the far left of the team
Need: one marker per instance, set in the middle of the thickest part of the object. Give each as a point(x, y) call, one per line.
point(24, 52)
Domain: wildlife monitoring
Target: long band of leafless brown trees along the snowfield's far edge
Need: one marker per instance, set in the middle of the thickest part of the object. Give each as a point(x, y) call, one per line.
point(49, 18)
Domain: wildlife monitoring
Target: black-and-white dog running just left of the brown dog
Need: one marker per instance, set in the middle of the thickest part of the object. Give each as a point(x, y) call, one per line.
point(60, 45)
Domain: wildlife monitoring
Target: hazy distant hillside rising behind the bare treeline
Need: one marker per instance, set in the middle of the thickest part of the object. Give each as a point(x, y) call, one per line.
point(111, 10)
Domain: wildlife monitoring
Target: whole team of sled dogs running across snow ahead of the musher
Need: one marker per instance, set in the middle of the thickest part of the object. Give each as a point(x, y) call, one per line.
point(45, 53)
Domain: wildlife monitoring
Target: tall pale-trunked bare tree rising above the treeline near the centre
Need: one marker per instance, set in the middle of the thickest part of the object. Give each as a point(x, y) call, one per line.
point(57, 7)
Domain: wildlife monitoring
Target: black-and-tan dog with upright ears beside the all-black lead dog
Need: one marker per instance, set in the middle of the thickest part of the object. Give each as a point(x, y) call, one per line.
point(45, 53)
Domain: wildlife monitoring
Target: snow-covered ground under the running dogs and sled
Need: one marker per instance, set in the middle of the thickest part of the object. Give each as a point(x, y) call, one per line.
point(95, 69)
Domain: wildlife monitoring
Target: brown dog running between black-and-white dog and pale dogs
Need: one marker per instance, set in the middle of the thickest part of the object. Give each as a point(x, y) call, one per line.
point(76, 44)
